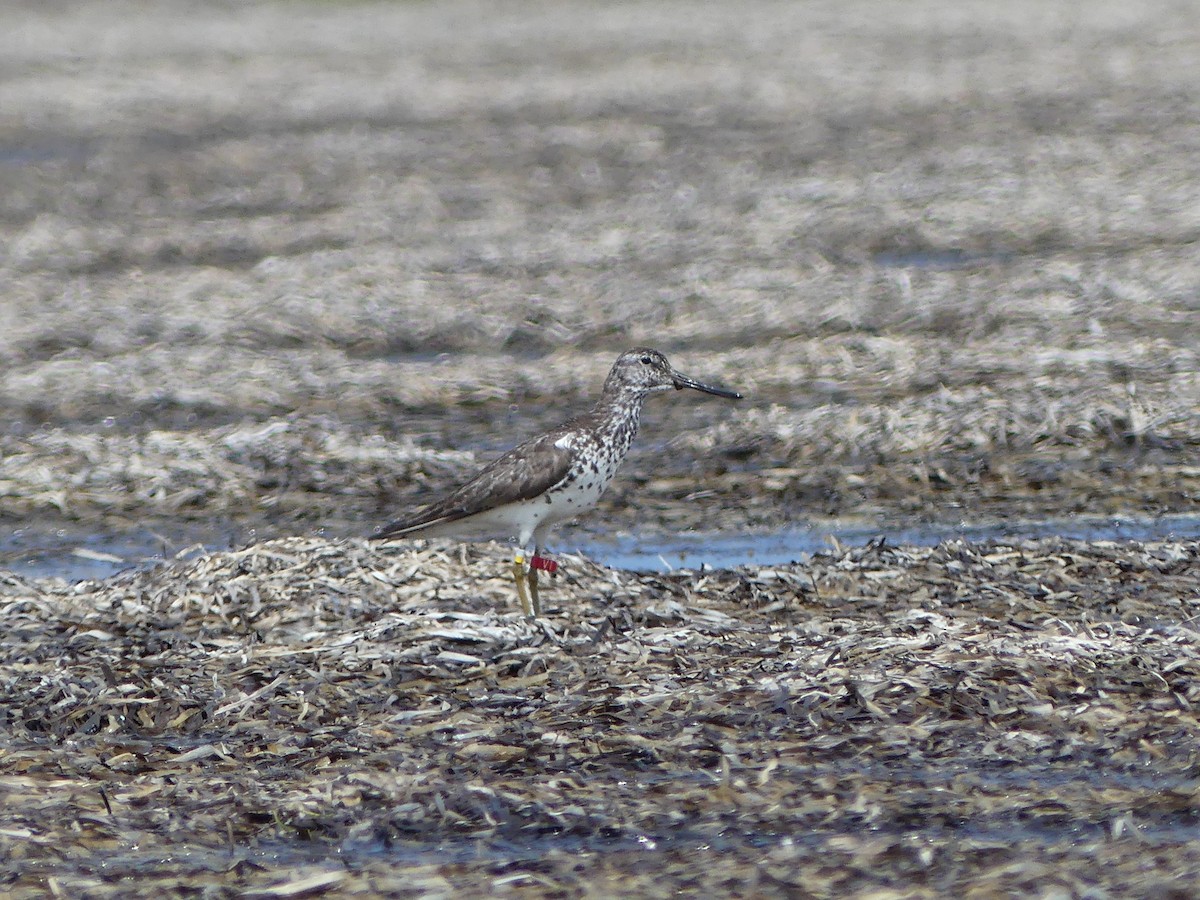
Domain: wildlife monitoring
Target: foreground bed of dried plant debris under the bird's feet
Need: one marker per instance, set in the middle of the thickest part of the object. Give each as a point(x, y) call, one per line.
point(950, 716)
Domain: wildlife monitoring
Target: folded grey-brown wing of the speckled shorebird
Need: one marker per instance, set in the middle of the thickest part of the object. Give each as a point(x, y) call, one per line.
point(523, 473)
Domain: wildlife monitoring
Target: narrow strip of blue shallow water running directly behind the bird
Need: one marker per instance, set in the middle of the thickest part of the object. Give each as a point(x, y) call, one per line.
point(79, 555)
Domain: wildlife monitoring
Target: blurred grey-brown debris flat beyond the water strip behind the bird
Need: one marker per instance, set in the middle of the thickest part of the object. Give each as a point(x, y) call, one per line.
point(298, 266)
